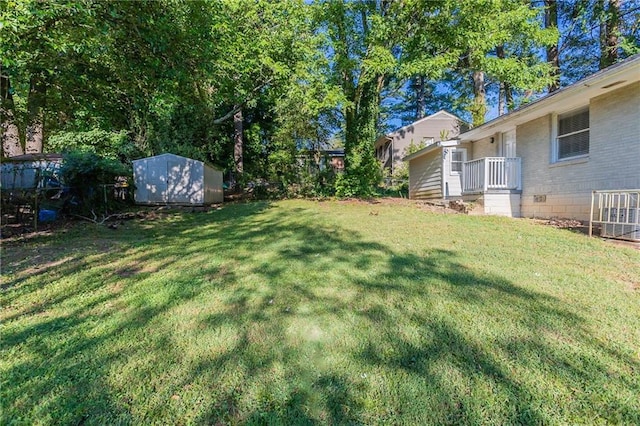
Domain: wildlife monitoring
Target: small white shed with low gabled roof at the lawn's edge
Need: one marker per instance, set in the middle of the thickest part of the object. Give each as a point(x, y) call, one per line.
point(172, 179)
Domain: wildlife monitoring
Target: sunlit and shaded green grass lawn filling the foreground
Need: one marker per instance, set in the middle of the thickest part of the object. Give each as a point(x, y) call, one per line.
point(301, 312)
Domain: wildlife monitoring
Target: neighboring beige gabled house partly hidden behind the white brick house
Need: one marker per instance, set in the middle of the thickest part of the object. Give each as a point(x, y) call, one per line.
point(391, 148)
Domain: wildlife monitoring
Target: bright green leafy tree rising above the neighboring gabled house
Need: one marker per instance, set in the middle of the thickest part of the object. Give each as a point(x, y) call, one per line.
point(482, 41)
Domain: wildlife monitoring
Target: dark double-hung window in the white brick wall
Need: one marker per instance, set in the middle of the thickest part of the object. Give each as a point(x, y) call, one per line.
point(573, 134)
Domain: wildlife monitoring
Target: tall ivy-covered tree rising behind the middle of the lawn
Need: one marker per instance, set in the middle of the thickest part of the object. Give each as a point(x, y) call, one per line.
point(362, 38)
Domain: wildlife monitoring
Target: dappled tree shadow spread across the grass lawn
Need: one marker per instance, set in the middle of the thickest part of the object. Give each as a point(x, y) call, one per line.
point(278, 317)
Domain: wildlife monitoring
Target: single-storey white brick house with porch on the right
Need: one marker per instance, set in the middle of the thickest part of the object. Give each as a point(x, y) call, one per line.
point(546, 158)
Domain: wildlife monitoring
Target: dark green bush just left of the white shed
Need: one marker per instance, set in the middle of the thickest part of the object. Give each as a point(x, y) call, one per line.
point(91, 179)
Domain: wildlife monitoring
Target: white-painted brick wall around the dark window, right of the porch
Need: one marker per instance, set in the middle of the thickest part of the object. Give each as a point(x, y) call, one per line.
point(613, 161)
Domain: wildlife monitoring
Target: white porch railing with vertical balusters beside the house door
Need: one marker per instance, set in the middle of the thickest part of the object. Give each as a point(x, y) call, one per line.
point(489, 173)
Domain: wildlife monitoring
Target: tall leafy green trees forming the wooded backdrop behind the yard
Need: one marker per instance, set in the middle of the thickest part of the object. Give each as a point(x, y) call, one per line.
point(248, 86)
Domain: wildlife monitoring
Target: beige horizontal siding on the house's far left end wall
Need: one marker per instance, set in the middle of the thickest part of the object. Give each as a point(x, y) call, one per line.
point(425, 176)
